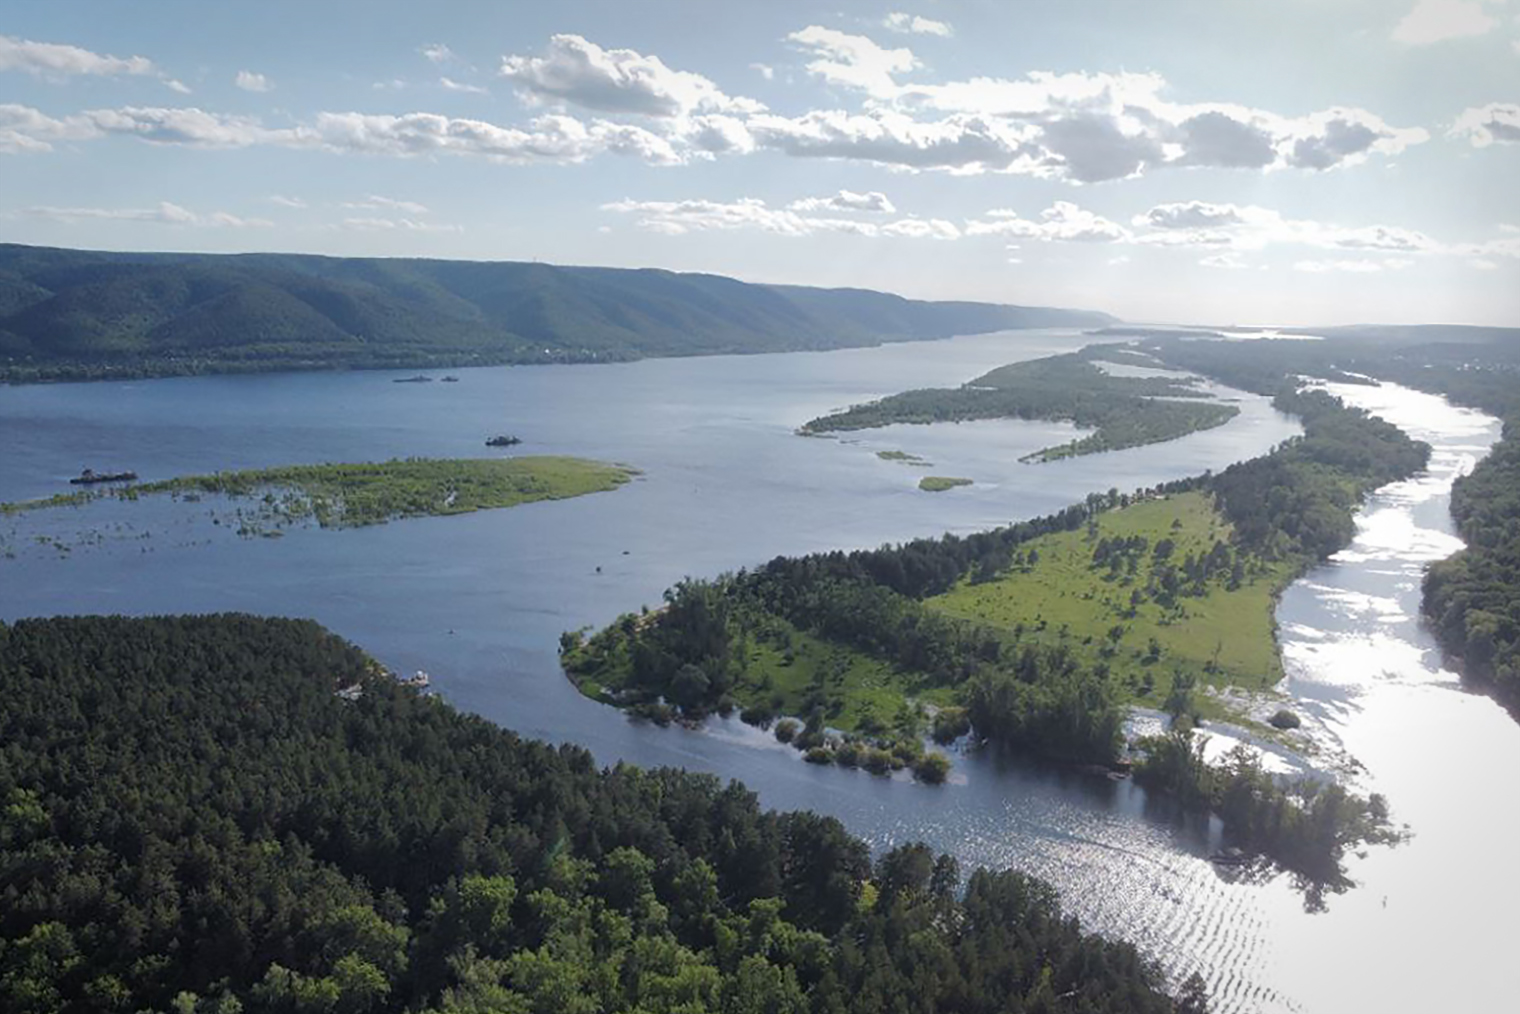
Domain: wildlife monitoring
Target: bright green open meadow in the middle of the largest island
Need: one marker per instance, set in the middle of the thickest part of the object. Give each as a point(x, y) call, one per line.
point(1224, 638)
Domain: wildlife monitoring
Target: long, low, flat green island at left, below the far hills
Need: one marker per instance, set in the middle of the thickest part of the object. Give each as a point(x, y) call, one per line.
point(358, 495)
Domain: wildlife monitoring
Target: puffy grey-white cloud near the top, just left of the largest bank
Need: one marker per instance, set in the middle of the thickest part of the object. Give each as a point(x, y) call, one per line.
point(616, 81)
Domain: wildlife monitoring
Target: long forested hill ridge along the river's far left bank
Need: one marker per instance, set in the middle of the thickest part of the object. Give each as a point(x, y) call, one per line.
point(71, 314)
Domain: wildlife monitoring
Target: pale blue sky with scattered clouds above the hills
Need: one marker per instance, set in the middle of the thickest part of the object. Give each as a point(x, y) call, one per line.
point(1303, 162)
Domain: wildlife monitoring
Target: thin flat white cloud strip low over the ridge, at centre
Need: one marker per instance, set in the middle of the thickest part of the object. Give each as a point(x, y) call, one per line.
point(677, 218)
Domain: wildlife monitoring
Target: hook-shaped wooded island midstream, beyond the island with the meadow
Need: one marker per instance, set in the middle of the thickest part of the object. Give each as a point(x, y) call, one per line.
point(1121, 411)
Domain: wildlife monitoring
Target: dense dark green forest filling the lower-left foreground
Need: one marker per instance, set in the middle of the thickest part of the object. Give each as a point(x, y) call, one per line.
point(194, 820)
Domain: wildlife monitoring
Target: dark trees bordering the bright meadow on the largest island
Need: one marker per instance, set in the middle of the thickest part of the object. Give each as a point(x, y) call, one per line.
point(694, 654)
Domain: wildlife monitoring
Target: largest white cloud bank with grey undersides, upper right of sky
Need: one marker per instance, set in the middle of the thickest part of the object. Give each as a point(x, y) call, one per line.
point(1075, 127)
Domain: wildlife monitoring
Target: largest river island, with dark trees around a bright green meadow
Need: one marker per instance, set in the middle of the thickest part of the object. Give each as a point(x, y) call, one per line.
point(1037, 636)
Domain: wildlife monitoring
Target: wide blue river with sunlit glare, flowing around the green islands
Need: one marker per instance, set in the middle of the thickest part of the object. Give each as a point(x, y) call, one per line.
point(480, 601)
